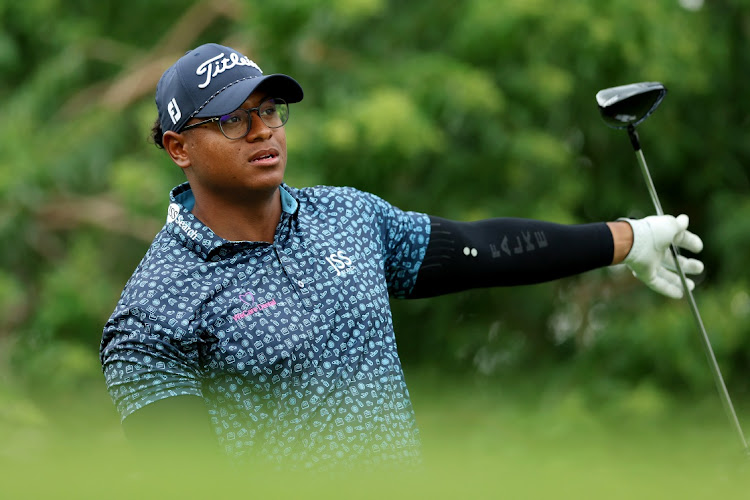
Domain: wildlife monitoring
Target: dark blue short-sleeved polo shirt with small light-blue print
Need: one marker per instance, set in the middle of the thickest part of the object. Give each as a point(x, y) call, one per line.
point(291, 343)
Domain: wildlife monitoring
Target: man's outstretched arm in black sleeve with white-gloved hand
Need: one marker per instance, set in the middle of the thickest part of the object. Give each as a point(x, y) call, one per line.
point(509, 251)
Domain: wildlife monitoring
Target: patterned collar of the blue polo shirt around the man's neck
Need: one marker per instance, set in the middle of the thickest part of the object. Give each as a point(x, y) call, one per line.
point(195, 235)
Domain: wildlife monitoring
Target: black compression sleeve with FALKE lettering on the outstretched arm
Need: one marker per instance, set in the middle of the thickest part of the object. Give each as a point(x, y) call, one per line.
point(505, 252)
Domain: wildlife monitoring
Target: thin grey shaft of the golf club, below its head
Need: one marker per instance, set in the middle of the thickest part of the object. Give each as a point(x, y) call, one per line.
point(722, 388)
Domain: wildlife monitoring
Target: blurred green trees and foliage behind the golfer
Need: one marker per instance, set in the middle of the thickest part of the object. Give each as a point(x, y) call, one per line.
point(463, 109)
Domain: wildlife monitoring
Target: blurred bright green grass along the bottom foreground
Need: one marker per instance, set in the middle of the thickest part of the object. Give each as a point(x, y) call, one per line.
point(481, 440)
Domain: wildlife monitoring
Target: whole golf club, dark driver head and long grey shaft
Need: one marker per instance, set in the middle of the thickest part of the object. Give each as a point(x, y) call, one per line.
point(625, 107)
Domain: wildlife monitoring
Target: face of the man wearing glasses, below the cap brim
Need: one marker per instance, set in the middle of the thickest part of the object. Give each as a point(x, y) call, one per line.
point(232, 168)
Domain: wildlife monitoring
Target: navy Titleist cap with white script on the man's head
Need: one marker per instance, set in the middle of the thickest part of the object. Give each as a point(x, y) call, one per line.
point(213, 80)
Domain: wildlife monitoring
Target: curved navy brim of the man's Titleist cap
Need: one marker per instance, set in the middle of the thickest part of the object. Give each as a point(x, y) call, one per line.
point(234, 95)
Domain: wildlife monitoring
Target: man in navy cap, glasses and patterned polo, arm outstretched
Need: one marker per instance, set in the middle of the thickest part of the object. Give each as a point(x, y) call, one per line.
point(260, 313)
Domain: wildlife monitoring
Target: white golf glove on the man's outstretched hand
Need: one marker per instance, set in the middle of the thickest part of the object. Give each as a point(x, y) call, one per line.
point(650, 258)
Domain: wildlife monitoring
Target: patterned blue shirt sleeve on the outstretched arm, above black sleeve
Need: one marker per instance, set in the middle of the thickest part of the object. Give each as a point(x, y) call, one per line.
point(405, 236)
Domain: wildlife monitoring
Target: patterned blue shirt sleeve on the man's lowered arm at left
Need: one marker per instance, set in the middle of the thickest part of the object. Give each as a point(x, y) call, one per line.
point(146, 359)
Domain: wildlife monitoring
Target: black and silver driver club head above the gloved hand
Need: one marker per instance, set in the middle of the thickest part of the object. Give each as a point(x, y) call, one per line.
point(628, 105)
